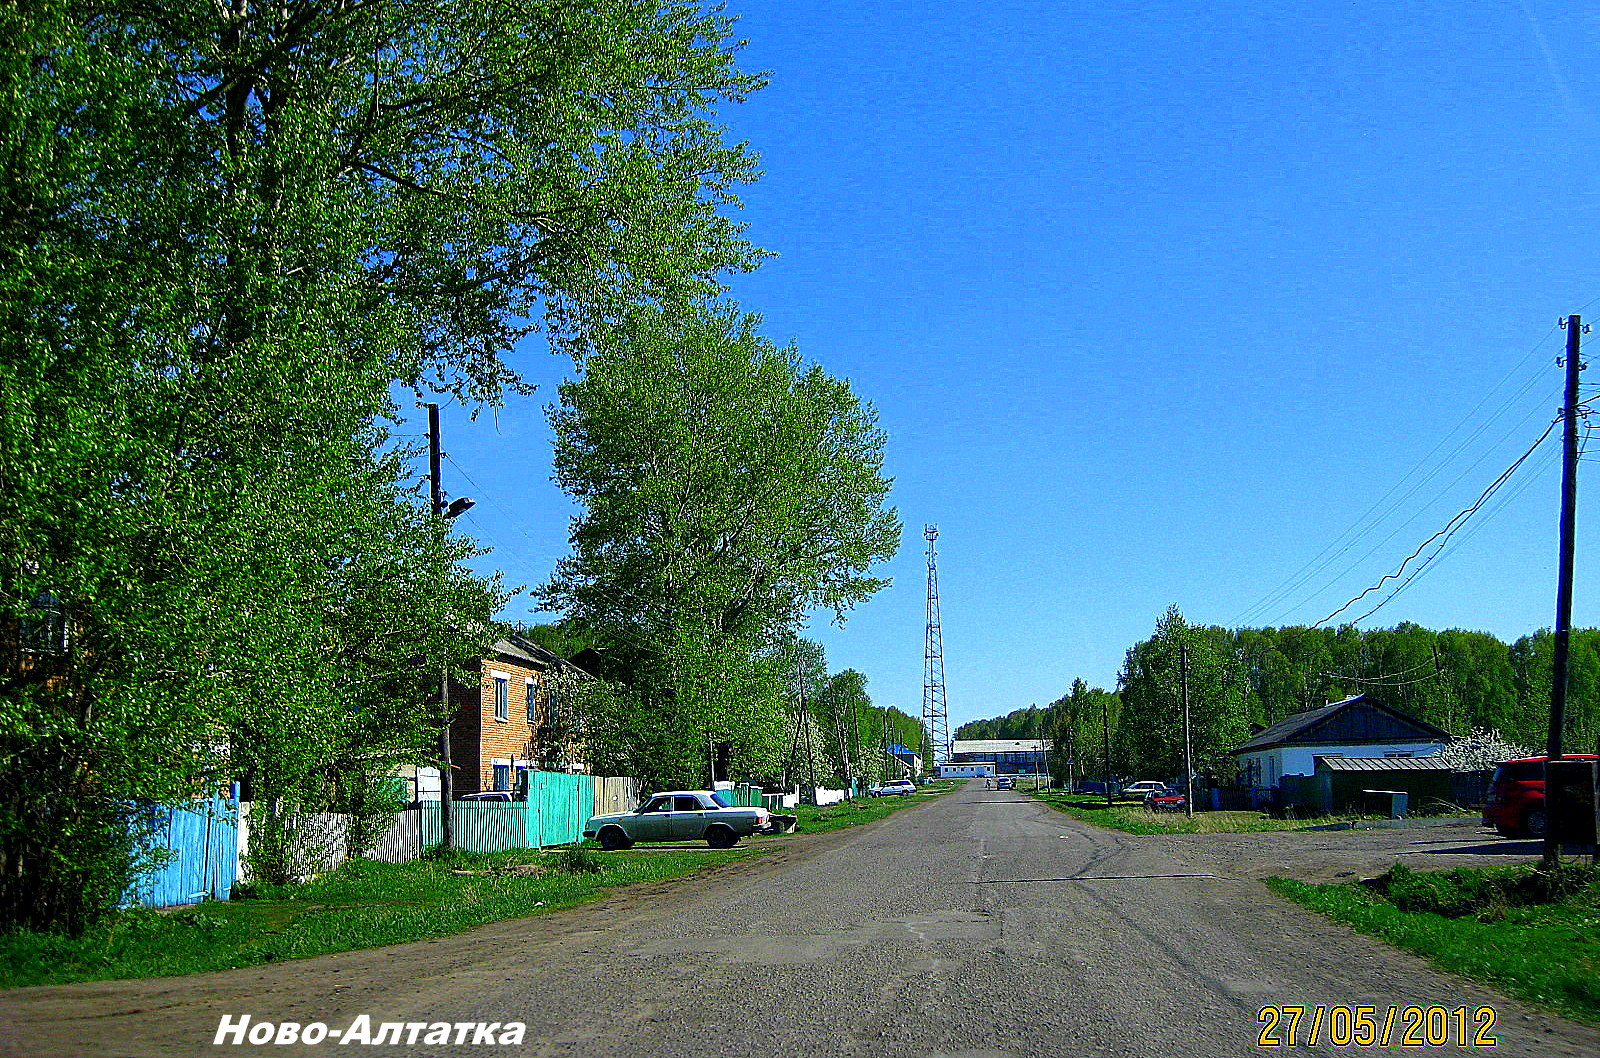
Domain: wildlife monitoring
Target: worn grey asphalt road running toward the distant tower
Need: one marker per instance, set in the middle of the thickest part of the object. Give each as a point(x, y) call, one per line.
point(978, 926)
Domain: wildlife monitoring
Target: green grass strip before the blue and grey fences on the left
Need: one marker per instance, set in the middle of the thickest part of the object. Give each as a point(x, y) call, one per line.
point(361, 905)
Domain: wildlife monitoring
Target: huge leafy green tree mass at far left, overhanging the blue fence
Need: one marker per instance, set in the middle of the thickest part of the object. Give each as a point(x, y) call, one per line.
point(225, 236)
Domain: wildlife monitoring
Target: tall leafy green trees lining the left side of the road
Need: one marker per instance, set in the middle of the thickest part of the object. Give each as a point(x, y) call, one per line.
point(230, 238)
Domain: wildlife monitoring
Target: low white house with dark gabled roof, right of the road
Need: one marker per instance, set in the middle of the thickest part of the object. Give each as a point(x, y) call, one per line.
point(1356, 727)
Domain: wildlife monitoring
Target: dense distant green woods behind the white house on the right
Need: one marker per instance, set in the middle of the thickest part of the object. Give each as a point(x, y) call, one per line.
point(1244, 679)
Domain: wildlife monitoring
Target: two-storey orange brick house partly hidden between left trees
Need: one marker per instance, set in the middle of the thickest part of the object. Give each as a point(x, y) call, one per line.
point(514, 721)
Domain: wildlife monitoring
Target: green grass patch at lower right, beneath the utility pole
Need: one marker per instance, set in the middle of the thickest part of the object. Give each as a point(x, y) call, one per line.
point(1530, 936)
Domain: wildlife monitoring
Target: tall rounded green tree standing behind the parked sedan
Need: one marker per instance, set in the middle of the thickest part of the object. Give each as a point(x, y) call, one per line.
point(729, 489)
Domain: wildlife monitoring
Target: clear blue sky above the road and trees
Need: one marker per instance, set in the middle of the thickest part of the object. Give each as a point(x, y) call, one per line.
point(1158, 302)
